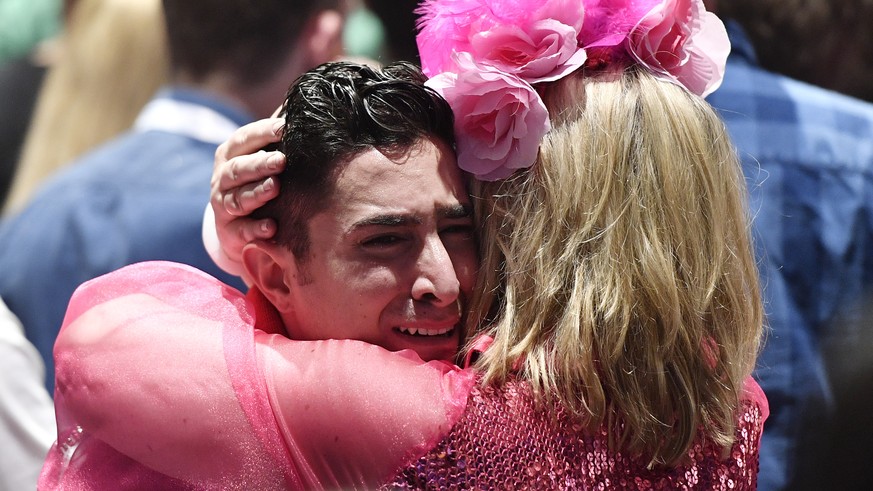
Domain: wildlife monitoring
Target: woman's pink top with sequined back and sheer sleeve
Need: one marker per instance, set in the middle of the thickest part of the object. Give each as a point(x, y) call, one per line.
point(168, 379)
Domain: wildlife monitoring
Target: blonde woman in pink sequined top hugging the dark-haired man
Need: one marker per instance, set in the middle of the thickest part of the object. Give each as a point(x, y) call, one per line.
point(617, 295)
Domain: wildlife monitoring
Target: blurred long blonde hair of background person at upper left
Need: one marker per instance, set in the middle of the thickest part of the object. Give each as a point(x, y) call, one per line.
point(113, 56)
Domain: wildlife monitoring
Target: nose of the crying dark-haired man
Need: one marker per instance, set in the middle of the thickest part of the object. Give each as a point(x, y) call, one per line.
point(436, 280)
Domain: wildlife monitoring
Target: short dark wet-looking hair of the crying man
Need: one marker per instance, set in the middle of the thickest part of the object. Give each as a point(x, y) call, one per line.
point(336, 112)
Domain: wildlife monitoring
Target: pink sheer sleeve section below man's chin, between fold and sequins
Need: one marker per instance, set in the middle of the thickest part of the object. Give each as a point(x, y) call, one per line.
point(353, 413)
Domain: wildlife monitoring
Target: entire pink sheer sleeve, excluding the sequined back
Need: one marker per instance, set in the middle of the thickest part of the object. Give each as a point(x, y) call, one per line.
point(164, 383)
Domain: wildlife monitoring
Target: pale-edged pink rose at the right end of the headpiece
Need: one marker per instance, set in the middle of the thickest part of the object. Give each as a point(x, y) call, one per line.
point(681, 41)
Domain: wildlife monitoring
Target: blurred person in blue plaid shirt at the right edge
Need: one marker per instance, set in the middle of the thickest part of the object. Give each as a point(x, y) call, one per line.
point(808, 157)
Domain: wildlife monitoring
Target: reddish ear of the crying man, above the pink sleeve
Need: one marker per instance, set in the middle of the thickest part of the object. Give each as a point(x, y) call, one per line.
point(271, 267)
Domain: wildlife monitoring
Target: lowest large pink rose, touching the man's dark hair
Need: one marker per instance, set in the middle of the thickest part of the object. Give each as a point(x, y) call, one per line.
point(499, 118)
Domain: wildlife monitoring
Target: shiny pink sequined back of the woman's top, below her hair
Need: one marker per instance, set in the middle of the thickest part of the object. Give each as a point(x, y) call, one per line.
point(503, 443)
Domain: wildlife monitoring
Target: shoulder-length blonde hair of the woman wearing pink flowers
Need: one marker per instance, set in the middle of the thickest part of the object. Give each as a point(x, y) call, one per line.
point(618, 274)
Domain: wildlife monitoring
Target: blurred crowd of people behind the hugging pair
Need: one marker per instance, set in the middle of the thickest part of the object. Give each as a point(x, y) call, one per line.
point(84, 82)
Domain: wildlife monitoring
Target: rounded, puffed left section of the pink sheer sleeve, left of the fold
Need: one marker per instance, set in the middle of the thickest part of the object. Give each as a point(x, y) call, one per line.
point(140, 366)
